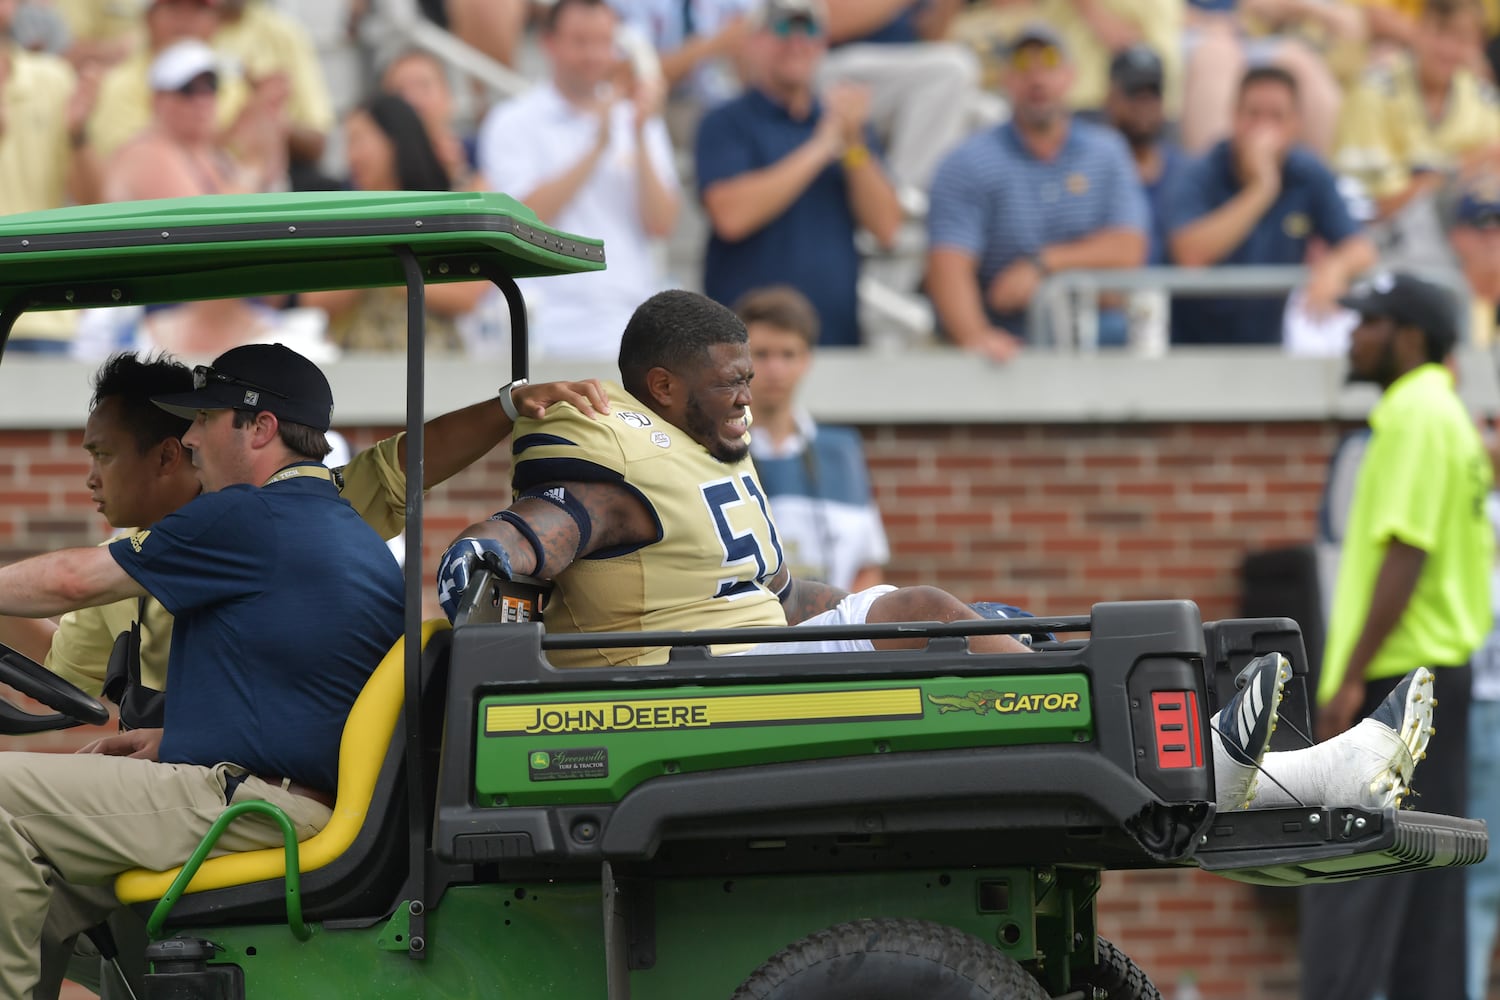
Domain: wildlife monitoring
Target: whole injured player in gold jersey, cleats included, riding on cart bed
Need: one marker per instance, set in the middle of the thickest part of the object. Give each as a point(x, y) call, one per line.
point(653, 519)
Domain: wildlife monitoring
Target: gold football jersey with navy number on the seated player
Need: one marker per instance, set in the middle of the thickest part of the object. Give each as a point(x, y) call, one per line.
point(716, 548)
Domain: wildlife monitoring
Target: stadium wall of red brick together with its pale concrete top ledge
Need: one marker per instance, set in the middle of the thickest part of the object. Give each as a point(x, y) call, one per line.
point(1163, 479)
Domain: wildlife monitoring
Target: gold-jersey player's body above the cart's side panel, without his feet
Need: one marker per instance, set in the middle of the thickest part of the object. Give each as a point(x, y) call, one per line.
point(655, 519)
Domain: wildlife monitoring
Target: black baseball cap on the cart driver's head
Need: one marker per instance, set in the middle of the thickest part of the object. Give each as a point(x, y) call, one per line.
point(259, 379)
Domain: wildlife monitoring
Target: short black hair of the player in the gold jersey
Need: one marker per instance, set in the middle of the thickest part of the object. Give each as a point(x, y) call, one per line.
point(674, 331)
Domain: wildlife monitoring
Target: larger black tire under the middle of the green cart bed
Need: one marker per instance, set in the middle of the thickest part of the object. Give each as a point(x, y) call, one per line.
point(890, 960)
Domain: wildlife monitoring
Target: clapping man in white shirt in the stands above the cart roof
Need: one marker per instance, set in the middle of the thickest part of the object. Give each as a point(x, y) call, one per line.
point(589, 158)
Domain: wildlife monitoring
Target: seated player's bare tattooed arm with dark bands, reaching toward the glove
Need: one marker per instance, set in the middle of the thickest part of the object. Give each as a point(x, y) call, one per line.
point(616, 518)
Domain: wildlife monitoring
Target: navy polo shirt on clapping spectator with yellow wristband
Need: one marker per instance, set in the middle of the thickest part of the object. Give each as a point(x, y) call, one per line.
point(809, 247)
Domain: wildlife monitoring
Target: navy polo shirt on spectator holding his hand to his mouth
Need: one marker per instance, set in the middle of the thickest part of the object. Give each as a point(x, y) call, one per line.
point(1309, 206)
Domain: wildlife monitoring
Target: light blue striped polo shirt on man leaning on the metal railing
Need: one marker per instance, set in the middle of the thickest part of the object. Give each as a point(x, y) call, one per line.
point(995, 202)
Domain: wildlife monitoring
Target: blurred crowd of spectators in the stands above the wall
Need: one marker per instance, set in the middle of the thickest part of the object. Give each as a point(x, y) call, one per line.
point(992, 175)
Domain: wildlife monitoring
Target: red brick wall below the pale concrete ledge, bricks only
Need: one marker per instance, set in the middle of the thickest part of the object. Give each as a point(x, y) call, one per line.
point(1052, 518)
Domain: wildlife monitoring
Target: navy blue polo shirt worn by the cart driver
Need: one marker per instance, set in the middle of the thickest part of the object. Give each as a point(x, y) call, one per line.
point(284, 603)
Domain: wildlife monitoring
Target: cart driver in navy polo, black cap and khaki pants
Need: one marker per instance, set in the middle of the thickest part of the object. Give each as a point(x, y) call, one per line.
point(253, 711)
